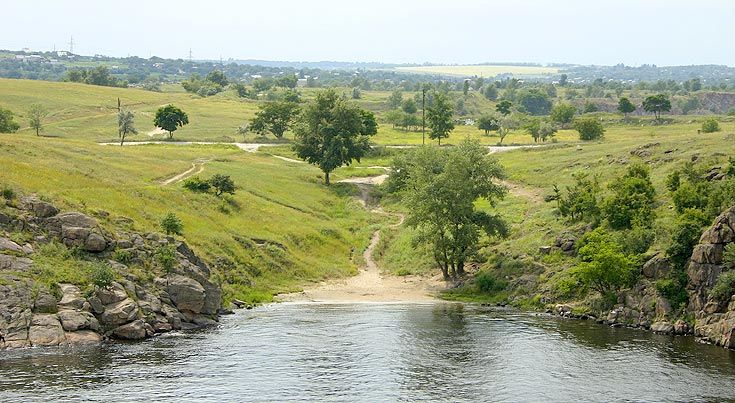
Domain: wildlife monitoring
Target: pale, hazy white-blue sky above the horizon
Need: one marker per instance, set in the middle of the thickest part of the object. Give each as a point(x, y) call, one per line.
point(633, 32)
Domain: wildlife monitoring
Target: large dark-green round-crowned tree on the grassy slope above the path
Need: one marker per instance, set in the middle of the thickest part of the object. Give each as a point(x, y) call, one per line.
point(332, 132)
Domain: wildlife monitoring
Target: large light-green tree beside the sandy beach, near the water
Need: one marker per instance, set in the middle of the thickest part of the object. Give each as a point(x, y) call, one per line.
point(441, 186)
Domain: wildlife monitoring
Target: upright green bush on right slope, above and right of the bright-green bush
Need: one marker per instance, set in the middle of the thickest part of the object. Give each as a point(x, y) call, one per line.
point(632, 199)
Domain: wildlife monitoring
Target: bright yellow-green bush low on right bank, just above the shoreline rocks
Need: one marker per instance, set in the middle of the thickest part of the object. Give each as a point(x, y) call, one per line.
point(604, 266)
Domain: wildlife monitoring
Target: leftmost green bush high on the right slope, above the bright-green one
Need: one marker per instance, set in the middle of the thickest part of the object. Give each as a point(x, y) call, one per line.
point(581, 202)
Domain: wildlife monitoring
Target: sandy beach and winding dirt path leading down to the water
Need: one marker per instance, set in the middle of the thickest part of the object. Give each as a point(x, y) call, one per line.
point(369, 285)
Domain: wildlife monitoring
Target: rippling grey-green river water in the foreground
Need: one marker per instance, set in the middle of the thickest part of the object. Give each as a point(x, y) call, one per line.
point(375, 353)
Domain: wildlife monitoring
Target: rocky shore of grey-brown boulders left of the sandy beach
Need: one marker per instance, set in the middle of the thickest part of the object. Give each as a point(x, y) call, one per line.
point(130, 306)
